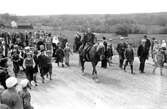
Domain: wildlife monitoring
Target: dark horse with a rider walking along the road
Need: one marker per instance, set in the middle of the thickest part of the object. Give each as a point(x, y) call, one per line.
point(94, 54)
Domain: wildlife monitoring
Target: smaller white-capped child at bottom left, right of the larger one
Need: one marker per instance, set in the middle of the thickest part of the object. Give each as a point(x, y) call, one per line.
point(25, 94)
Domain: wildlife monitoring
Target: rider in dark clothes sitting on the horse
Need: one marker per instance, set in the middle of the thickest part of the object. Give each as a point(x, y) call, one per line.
point(89, 39)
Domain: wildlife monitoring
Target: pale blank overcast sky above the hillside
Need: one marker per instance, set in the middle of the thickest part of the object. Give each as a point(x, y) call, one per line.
point(53, 7)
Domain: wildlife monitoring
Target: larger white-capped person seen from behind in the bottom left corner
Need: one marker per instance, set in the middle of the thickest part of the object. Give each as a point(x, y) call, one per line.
point(10, 96)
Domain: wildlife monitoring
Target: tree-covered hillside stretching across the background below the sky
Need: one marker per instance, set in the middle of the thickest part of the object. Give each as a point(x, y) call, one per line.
point(130, 23)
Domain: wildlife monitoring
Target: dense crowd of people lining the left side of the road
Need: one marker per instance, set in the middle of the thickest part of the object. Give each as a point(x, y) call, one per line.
point(30, 53)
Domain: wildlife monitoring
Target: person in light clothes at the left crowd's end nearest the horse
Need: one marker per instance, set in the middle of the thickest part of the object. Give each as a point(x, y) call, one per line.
point(67, 52)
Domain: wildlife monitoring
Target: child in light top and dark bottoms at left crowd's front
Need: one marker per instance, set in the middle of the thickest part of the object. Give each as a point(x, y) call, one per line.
point(29, 65)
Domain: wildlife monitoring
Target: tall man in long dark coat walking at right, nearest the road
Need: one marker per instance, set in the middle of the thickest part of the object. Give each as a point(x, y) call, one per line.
point(143, 55)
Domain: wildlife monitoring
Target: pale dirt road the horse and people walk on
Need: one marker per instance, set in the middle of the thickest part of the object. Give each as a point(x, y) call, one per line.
point(117, 89)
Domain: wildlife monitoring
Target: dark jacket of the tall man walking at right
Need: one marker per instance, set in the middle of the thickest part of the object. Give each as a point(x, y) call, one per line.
point(142, 52)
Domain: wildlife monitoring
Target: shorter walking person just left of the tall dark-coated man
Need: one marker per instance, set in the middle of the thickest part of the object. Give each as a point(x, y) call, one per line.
point(129, 56)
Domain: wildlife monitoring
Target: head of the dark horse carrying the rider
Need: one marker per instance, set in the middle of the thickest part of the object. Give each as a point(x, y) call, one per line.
point(100, 51)
